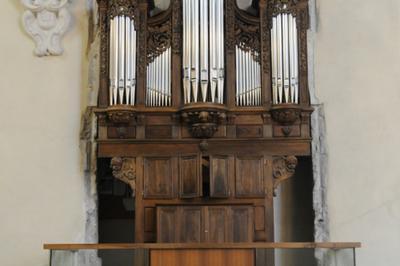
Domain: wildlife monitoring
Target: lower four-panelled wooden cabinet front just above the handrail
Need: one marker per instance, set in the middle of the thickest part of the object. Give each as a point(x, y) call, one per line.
point(195, 224)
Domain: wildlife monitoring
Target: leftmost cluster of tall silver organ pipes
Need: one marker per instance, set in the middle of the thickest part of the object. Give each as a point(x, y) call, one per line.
point(122, 70)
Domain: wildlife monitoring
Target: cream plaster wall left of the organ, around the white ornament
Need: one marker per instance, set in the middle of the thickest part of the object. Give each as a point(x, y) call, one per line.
point(41, 184)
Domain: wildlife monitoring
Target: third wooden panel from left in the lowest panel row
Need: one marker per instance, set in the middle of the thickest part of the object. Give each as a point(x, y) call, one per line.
point(216, 221)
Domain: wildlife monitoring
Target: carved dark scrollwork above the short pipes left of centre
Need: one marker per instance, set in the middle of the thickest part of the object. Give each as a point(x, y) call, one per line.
point(158, 39)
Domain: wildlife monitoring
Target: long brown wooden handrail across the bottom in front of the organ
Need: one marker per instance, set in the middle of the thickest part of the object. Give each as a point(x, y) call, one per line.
point(256, 245)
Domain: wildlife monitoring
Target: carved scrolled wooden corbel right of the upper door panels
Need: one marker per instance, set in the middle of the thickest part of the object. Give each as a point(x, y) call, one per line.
point(282, 169)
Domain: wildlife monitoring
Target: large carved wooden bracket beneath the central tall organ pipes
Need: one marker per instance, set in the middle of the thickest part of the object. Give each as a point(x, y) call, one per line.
point(203, 120)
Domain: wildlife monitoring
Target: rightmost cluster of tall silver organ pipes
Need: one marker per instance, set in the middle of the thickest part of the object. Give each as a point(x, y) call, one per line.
point(284, 50)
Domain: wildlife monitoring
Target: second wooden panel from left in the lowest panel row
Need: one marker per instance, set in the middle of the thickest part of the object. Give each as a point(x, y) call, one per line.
point(190, 225)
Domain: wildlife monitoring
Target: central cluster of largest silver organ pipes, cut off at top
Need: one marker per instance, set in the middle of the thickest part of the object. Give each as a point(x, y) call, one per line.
point(203, 55)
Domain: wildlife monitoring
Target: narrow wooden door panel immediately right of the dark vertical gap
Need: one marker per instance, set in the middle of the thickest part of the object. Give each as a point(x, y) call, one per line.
point(219, 185)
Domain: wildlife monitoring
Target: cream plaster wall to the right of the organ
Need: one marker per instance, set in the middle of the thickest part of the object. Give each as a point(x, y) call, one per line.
point(357, 71)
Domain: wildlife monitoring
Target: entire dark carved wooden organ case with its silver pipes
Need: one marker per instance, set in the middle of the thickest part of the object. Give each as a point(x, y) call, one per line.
point(203, 107)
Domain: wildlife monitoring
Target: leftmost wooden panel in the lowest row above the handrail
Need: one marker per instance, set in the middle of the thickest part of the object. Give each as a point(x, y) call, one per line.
point(166, 224)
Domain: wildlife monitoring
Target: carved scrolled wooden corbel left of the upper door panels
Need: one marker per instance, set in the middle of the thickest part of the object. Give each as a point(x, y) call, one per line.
point(124, 169)
